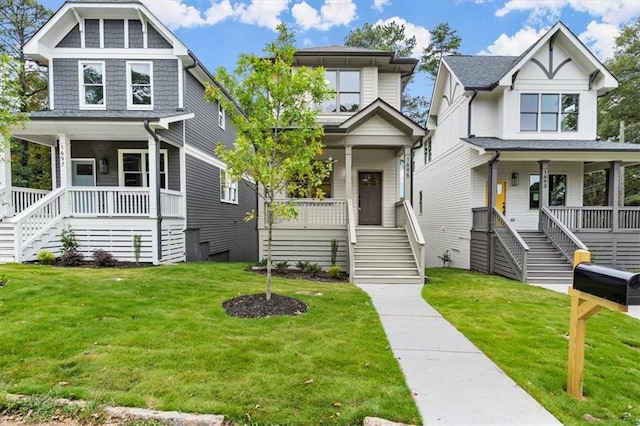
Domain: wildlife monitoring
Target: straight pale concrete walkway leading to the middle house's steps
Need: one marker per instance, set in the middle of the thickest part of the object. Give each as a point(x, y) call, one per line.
point(453, 382)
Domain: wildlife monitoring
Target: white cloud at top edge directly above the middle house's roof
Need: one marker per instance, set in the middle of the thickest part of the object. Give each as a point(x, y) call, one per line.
point(332, 13)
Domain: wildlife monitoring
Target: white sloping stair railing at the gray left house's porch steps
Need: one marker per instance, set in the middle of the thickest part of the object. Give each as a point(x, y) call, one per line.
point(32, 222)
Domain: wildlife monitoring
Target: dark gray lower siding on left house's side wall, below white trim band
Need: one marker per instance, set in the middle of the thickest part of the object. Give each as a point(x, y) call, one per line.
point(218, 226)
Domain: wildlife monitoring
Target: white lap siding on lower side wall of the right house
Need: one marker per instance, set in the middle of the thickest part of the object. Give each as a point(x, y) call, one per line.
point(446, 207)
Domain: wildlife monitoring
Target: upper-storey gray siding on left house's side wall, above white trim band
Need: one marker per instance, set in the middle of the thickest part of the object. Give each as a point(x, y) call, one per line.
point(203, 132)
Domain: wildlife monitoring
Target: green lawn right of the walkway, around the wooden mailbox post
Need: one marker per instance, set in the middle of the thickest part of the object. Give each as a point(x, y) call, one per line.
point(524, 330)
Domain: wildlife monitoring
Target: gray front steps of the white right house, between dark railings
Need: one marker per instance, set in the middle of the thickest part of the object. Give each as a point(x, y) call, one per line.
point(545, 264)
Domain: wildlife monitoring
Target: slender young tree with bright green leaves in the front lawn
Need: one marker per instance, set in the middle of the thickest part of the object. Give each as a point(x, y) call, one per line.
point(278, 136)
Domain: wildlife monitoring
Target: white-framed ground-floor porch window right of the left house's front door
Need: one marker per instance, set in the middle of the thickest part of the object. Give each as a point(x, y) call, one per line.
point(134, 167)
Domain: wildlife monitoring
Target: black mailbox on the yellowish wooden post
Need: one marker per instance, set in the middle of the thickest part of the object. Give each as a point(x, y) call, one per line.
point(612, 284)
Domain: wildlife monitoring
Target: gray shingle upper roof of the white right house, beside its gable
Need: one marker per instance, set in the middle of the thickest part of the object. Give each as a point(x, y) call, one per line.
point(480, 72)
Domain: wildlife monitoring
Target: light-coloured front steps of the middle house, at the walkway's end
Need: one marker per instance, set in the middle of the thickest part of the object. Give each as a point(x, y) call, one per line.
point(384, 256)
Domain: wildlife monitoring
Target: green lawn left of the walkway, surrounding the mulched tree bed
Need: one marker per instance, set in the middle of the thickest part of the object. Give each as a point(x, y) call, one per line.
point(159, 338)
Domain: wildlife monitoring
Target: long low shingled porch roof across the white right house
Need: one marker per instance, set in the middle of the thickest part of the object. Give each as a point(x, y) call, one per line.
point(496, 144)
